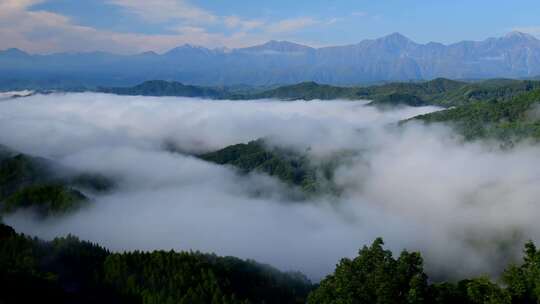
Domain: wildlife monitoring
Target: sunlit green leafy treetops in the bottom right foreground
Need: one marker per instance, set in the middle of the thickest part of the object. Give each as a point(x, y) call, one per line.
point(375, 276)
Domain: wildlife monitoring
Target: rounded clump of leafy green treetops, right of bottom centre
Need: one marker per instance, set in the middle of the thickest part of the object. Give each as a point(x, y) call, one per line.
point(374, 276)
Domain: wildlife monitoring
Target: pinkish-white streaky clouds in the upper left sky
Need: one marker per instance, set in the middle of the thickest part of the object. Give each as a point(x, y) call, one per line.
point(46, 32)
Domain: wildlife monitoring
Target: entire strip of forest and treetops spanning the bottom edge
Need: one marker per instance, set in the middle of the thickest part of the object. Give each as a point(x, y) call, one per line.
point(68, 270)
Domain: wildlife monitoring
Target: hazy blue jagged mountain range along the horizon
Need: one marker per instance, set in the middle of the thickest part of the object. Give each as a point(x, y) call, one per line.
point(390, 58)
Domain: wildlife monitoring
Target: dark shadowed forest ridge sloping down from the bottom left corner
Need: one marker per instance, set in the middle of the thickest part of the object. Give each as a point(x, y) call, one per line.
point(67, 270)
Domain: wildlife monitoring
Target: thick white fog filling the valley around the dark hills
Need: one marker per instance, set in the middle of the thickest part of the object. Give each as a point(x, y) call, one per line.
point(466, 206)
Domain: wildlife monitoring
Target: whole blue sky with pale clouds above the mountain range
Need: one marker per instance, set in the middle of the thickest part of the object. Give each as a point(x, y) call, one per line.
point(133, 26)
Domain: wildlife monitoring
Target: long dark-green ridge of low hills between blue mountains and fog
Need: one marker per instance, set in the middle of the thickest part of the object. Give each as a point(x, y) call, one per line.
point(440, 92)
